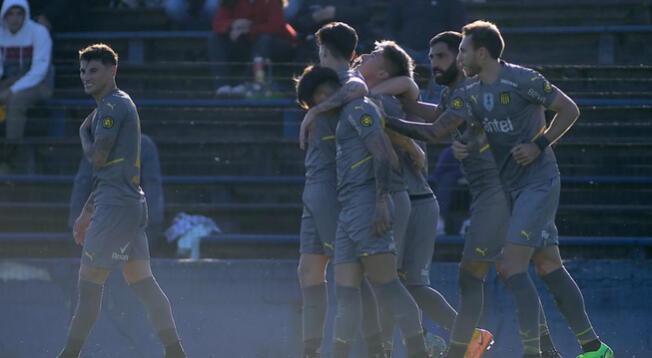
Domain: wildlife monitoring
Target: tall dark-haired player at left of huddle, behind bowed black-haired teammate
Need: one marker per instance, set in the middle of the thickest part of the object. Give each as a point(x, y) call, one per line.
point(337, 43)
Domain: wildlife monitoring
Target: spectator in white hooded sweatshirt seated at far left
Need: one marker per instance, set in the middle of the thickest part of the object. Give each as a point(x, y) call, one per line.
point(25, 70)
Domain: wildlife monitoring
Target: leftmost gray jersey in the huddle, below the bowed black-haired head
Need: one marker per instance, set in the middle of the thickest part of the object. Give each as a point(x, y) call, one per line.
point(320, 156)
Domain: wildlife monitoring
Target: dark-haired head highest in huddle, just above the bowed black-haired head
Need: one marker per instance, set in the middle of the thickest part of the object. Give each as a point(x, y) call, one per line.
point(336, 41)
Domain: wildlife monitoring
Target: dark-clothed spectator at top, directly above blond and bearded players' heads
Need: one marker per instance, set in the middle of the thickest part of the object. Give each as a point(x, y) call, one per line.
point(413, 24)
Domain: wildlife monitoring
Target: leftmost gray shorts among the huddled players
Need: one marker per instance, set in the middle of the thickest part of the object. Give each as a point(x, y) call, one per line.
point(319, 219)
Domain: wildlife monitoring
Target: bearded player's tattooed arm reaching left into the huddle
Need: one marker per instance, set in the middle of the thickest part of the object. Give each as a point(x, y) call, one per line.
point(427, 132)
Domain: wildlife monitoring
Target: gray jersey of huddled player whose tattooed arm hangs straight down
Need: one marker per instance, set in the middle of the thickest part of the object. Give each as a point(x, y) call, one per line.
point(358, 119)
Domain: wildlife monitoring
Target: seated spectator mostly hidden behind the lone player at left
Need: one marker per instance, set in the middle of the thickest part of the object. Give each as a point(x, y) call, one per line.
point(151, 184)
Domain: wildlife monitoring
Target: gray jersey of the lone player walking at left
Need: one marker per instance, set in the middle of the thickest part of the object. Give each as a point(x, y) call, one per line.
point(118, 181)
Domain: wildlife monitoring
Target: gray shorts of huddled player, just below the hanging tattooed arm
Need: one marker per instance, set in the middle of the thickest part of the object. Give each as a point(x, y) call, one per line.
point(354, 237)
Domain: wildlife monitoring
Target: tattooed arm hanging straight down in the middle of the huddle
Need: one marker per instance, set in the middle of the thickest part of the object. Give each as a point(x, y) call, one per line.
point(384, 158)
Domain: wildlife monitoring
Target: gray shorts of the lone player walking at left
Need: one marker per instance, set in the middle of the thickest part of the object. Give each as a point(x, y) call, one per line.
point(116, 235)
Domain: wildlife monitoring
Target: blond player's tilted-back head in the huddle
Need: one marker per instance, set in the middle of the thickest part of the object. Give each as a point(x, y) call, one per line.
point(386, 60)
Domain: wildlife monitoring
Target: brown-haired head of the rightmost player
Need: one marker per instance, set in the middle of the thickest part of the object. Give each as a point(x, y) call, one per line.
point(481, 43)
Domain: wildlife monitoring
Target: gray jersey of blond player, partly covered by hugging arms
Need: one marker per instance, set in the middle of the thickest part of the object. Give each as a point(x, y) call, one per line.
point(415, 183)
